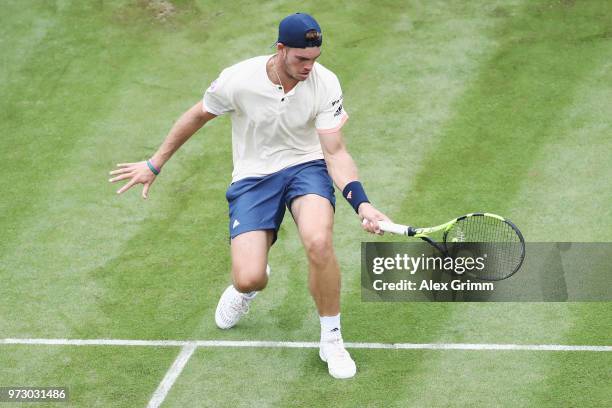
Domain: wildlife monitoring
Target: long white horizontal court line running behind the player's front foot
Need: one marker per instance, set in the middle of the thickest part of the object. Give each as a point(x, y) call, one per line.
point(300, 344)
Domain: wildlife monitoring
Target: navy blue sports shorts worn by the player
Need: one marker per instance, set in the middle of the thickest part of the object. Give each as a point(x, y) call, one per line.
point(258, 203)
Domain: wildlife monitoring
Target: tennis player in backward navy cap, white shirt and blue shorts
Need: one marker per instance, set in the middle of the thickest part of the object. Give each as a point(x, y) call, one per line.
point(287, 113)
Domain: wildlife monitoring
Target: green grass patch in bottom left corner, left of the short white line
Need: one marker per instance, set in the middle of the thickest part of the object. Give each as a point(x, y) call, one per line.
point(94, 376)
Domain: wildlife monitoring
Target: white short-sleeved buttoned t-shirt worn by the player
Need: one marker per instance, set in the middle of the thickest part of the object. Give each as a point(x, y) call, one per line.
point(272, 130)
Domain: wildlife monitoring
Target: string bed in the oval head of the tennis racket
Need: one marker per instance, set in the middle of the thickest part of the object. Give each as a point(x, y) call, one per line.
point(491, 238)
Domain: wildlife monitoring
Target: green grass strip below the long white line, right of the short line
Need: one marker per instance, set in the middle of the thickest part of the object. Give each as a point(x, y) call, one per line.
point(392, 378)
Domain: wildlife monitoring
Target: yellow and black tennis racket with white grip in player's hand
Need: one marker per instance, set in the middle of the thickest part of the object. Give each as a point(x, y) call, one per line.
point(477, 234)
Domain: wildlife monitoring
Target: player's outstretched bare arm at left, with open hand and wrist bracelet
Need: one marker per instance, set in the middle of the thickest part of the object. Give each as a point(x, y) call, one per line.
point(145, 172)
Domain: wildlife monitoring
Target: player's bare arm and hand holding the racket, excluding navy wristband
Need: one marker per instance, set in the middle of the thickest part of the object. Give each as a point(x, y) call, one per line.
point(343, 171)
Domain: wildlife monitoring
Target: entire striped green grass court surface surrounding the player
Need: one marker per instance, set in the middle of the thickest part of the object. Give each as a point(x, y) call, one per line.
point(455, 107)
